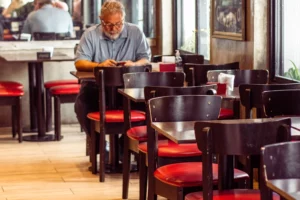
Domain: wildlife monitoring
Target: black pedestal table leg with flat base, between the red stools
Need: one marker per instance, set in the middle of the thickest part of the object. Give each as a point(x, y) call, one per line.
point(37, 98)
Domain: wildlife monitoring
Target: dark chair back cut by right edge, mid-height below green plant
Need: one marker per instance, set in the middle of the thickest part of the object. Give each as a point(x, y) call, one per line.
point(281, 102)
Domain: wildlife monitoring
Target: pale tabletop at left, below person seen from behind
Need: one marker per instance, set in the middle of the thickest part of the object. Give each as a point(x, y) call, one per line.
point(31, 56)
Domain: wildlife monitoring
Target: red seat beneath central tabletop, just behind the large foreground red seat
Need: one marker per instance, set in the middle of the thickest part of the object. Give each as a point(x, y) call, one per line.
point(167, 148)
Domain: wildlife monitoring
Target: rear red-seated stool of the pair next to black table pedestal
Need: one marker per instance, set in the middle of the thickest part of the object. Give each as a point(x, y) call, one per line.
point(47, 86)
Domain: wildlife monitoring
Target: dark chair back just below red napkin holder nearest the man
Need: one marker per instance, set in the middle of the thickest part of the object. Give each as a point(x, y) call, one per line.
point(142, 79)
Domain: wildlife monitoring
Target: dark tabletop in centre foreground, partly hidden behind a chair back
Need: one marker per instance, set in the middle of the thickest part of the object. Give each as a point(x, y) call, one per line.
point(183, 131)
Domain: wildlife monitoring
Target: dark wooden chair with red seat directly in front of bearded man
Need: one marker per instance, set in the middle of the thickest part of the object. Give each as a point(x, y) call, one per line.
point(110, 118)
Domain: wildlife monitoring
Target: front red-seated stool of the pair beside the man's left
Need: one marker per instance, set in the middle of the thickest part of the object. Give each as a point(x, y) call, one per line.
point(62, 94)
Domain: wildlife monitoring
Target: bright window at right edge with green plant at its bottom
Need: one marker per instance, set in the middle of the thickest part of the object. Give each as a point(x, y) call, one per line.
point(285, 47)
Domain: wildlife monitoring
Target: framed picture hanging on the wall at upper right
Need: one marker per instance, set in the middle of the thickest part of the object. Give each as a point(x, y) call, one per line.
point(228, 19)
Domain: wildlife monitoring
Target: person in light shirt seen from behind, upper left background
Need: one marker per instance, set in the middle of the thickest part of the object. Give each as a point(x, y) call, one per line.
point(48, 18)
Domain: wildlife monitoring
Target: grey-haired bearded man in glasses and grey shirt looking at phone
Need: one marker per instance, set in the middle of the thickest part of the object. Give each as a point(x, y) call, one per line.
point(103, 45)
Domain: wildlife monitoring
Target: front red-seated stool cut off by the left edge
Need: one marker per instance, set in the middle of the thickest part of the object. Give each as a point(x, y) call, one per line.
point(12, 97)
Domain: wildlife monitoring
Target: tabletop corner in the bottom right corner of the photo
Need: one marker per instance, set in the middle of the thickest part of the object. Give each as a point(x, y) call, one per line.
point(288, 188)
